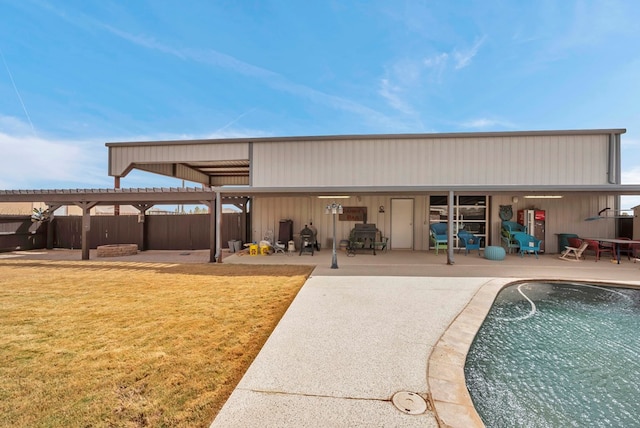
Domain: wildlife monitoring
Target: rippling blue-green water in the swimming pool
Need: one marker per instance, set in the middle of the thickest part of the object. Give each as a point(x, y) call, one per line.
point(558, 355)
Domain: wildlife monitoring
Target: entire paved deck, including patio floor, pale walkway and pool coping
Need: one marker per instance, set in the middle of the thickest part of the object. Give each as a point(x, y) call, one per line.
point(356, 335)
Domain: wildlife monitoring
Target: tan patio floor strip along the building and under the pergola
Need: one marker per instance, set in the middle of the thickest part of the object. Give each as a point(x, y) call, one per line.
point(389, 263)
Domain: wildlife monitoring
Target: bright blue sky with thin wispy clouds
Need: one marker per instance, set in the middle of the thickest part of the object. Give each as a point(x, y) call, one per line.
point(76, 74)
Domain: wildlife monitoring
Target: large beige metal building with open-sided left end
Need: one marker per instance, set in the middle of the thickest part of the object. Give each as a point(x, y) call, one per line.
point(401, 183)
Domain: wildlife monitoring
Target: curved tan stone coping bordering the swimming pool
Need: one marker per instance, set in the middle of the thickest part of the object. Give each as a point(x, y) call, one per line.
point(450, 400)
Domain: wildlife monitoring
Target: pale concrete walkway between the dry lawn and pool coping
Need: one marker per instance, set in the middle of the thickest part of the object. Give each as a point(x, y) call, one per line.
point(346, 345)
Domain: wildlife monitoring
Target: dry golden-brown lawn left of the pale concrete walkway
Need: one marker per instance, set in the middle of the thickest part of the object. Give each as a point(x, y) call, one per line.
point(131, 344)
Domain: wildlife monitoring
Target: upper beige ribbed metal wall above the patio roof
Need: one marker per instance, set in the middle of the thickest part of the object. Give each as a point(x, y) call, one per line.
point(526, 160)
